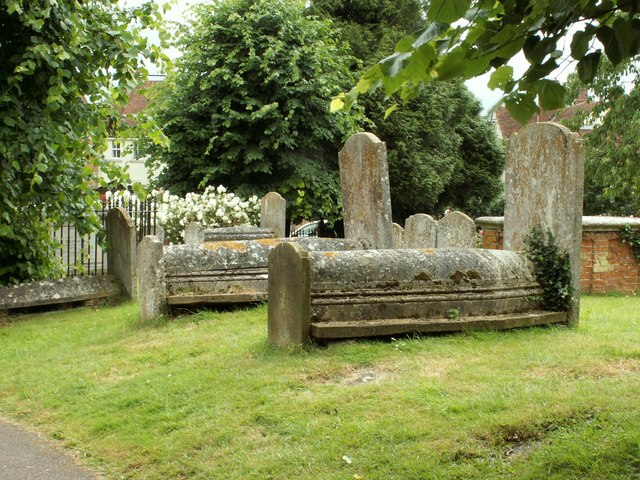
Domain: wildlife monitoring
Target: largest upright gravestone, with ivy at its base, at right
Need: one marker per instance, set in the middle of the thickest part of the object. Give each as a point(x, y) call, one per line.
point(544, 178)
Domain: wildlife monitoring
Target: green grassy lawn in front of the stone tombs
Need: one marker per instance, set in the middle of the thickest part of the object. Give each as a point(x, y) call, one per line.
point(205, 397)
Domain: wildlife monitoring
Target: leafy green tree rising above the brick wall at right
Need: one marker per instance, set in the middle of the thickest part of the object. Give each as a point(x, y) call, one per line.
point(612, 160)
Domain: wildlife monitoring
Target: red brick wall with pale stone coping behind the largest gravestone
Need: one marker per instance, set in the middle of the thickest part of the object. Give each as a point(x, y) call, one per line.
point(608, 264)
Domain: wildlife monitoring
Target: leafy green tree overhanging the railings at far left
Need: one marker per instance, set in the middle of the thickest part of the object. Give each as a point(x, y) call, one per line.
point(66, 67)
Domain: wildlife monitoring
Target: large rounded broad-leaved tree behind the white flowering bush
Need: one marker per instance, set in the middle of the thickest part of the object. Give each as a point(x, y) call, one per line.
point(247, 105)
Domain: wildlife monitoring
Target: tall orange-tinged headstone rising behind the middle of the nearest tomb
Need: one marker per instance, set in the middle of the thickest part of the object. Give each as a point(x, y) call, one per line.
point(366, 199)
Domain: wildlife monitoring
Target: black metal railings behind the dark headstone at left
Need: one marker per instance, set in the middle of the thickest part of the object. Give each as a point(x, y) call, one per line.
point(82, 255)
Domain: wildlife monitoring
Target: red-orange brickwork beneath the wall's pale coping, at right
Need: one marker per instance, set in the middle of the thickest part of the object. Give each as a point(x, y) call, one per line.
point(608, 265)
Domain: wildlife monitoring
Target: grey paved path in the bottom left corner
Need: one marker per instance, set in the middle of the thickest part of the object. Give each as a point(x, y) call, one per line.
point(26, 456)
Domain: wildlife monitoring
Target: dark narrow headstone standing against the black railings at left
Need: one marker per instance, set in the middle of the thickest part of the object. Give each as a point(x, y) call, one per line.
point(121, 254)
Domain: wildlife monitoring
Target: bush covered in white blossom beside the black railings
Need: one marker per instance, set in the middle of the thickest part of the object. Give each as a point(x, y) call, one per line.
point(215, 207)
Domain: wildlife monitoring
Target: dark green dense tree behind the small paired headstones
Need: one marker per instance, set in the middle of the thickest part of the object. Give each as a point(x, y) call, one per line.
point(441, 152)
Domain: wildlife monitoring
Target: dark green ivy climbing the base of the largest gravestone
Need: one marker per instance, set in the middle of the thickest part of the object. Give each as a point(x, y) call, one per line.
point(552, 269)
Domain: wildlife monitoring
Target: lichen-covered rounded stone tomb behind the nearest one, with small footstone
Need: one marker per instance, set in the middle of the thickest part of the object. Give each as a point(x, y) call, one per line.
point(211, 272)
